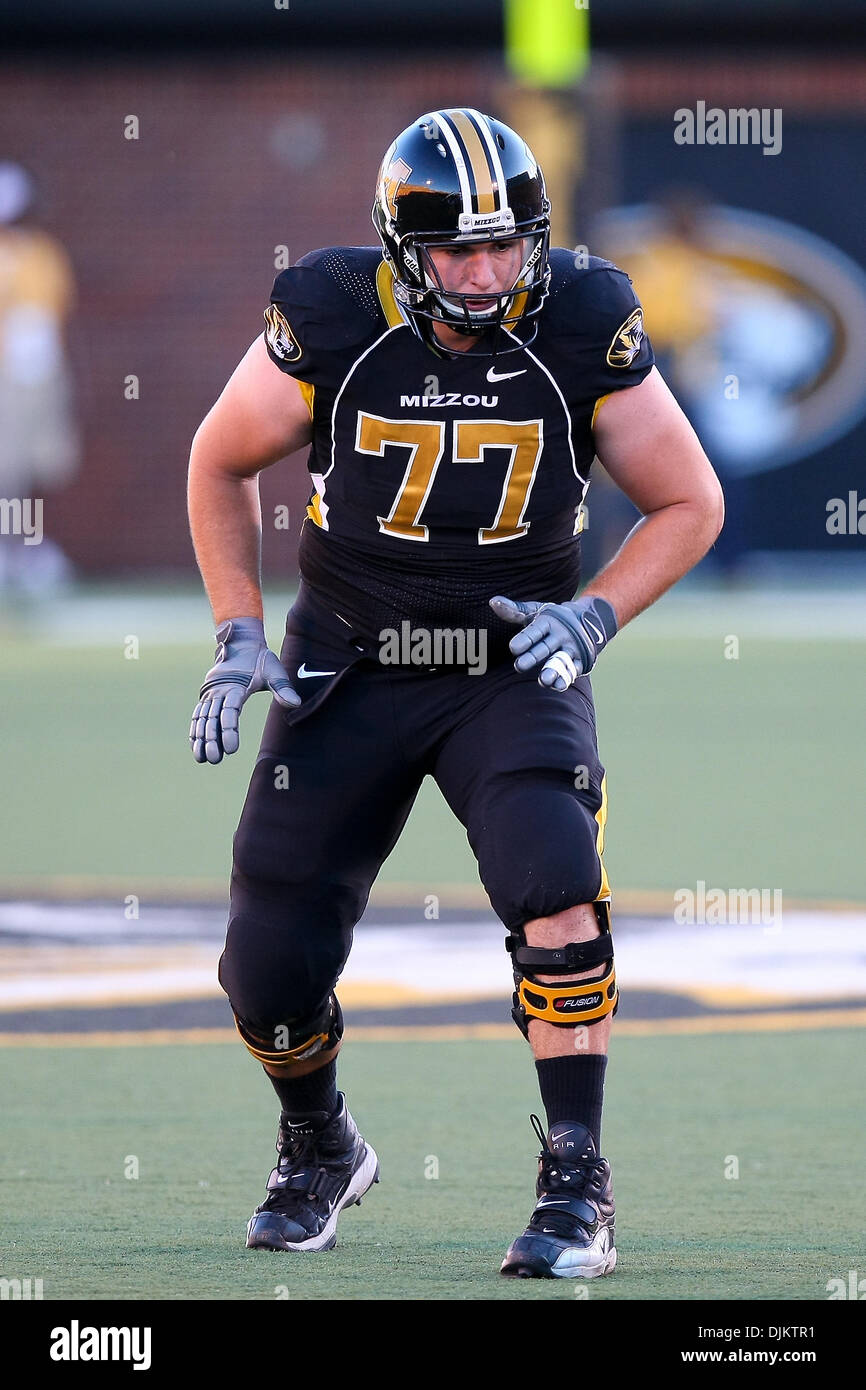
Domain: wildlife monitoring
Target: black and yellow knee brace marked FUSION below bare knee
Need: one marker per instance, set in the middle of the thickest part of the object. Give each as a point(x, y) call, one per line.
point(572, 1003)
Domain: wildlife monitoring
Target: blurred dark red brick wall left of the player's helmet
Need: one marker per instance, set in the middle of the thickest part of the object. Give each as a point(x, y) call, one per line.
point(173, 244)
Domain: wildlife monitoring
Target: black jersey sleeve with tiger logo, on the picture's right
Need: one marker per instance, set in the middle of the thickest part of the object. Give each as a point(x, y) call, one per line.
point(601, 333)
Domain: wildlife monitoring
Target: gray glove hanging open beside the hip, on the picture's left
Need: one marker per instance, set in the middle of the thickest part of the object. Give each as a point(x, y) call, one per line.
point(243, 667)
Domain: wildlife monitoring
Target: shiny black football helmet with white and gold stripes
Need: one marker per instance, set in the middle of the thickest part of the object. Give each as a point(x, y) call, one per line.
point(461, 177)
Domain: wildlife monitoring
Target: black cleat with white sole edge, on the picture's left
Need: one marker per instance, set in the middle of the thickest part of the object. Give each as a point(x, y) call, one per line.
point(323, 1167)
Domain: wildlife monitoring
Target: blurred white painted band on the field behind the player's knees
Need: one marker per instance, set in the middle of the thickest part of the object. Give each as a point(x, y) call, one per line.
point(807, 957)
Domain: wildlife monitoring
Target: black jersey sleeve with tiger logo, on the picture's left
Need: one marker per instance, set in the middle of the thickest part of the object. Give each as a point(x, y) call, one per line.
point(311, 325)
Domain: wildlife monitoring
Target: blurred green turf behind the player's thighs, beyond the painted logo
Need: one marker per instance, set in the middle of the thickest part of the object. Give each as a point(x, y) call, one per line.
point(739, 772)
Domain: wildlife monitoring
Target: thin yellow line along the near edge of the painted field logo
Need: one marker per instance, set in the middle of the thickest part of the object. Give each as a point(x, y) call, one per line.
point(459, 1032)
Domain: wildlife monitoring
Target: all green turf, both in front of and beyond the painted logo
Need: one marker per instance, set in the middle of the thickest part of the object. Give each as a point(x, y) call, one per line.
point(742, 774)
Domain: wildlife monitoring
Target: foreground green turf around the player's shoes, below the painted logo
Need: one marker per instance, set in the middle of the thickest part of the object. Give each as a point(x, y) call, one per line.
point(202, 1125)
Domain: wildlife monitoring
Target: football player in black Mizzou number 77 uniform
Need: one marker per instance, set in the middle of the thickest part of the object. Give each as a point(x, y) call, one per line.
point(454, 387)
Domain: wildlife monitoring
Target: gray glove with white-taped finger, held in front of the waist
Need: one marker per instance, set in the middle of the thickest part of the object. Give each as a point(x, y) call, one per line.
point(564, 639)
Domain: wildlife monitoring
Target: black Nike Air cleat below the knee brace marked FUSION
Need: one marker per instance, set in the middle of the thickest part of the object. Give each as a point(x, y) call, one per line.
point(571, 1232)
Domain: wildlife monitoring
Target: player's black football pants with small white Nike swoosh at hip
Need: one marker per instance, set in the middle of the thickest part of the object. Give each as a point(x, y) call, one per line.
point(336, 780)
